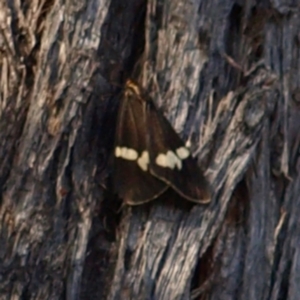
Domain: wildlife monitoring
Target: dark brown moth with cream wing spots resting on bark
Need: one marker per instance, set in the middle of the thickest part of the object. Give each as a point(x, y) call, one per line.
point(149, 156)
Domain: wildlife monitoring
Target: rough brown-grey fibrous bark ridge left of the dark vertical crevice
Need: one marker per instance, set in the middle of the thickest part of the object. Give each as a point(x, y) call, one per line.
point(47, 158)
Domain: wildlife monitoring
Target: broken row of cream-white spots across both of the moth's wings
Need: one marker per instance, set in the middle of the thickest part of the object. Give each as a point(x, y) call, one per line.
point(168, 160)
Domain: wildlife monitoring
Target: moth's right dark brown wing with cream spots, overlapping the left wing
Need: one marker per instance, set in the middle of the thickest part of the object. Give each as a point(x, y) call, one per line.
point(172, 162)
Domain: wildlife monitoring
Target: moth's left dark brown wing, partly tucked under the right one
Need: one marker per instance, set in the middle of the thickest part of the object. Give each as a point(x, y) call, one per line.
point(133, 184)
